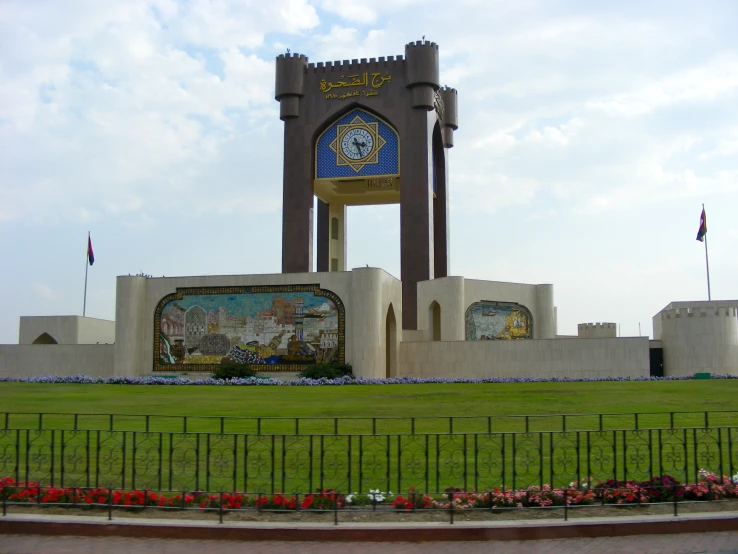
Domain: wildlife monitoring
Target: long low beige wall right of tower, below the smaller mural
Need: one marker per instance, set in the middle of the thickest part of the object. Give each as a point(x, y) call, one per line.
point(622, 357)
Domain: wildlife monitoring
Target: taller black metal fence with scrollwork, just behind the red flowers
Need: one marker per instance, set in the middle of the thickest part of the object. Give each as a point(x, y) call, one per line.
point(159, 460)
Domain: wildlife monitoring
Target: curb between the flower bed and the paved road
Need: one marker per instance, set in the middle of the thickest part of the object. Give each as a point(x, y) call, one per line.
point(363, 532)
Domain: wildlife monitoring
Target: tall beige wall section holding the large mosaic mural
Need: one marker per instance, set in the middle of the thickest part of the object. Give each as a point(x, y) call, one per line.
point(276, 322)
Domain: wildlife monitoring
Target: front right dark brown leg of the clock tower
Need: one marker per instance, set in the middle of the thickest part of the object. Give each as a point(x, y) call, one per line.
point(416, 213)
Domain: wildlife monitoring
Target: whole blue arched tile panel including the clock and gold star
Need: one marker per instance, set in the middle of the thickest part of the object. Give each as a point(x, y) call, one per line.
point(357, 145)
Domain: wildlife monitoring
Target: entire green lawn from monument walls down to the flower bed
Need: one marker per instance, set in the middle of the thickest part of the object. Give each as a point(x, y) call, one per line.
point(221, 451)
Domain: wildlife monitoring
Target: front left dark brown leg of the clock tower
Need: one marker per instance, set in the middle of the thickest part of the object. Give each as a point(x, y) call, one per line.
point(297, 200)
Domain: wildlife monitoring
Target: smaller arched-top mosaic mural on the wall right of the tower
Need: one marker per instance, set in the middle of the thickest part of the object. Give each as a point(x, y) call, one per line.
point(487, 320)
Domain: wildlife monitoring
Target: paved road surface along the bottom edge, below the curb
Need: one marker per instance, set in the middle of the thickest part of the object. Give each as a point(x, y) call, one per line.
point(702, 543)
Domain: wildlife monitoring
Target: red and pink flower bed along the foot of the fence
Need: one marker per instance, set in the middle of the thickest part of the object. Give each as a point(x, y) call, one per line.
point(659, 489)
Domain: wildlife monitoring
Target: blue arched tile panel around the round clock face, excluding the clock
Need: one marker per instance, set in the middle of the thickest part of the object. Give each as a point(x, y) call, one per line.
point(386, 161)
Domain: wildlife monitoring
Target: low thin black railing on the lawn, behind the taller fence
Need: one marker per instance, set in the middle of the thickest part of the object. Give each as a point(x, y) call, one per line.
point(368, 425)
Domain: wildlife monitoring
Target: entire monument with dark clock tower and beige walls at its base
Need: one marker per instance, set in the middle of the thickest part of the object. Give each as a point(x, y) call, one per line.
point(364, 132)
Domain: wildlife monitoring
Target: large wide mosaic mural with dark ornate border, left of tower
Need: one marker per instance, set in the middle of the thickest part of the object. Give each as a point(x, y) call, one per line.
point(283, 328)
